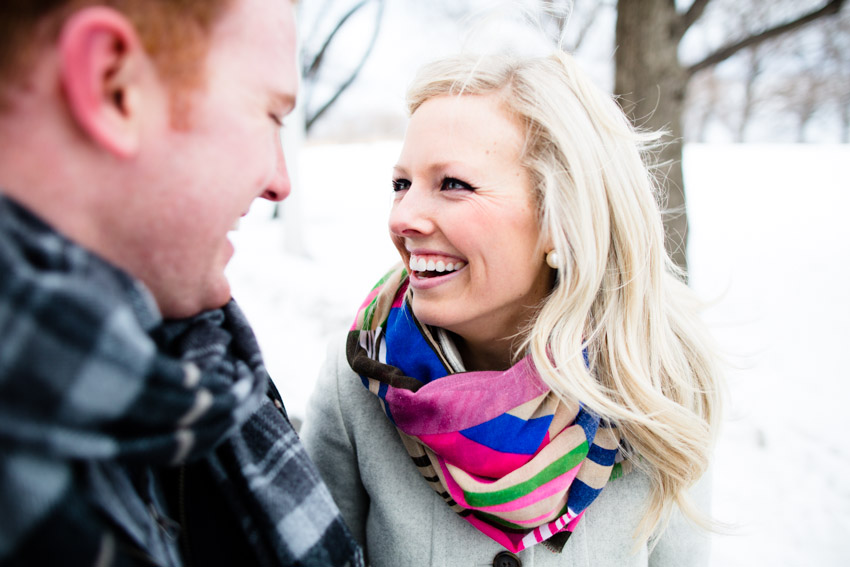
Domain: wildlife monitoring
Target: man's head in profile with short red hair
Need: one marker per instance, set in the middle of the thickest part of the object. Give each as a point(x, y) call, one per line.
point(100, 150)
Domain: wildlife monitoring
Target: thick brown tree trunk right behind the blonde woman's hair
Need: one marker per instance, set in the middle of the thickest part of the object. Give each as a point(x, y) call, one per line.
point(651, 84)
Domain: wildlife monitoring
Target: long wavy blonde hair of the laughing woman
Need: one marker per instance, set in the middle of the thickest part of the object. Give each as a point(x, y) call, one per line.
point(618, 299)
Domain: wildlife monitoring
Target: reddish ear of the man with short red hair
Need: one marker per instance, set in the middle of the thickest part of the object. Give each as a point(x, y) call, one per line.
point(102, 66)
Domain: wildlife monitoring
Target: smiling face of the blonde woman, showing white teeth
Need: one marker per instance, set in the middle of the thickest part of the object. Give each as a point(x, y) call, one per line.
point(465, 222)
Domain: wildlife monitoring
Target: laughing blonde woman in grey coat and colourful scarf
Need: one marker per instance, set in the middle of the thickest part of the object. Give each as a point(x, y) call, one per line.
point(535, 370)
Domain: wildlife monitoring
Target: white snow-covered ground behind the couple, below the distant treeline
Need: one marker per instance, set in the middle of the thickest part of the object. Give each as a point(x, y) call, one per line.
point(770, 247)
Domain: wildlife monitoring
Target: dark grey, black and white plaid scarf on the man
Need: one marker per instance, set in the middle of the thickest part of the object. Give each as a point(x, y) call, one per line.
point(99, 397)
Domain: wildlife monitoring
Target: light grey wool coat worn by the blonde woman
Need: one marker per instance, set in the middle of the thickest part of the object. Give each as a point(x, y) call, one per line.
point(402, 522)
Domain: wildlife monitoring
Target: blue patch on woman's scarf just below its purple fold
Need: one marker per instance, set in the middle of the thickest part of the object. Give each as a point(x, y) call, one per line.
point(510, 434)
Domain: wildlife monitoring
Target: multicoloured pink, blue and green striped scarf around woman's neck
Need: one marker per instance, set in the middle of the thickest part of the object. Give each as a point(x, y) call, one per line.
point(502, 450)
